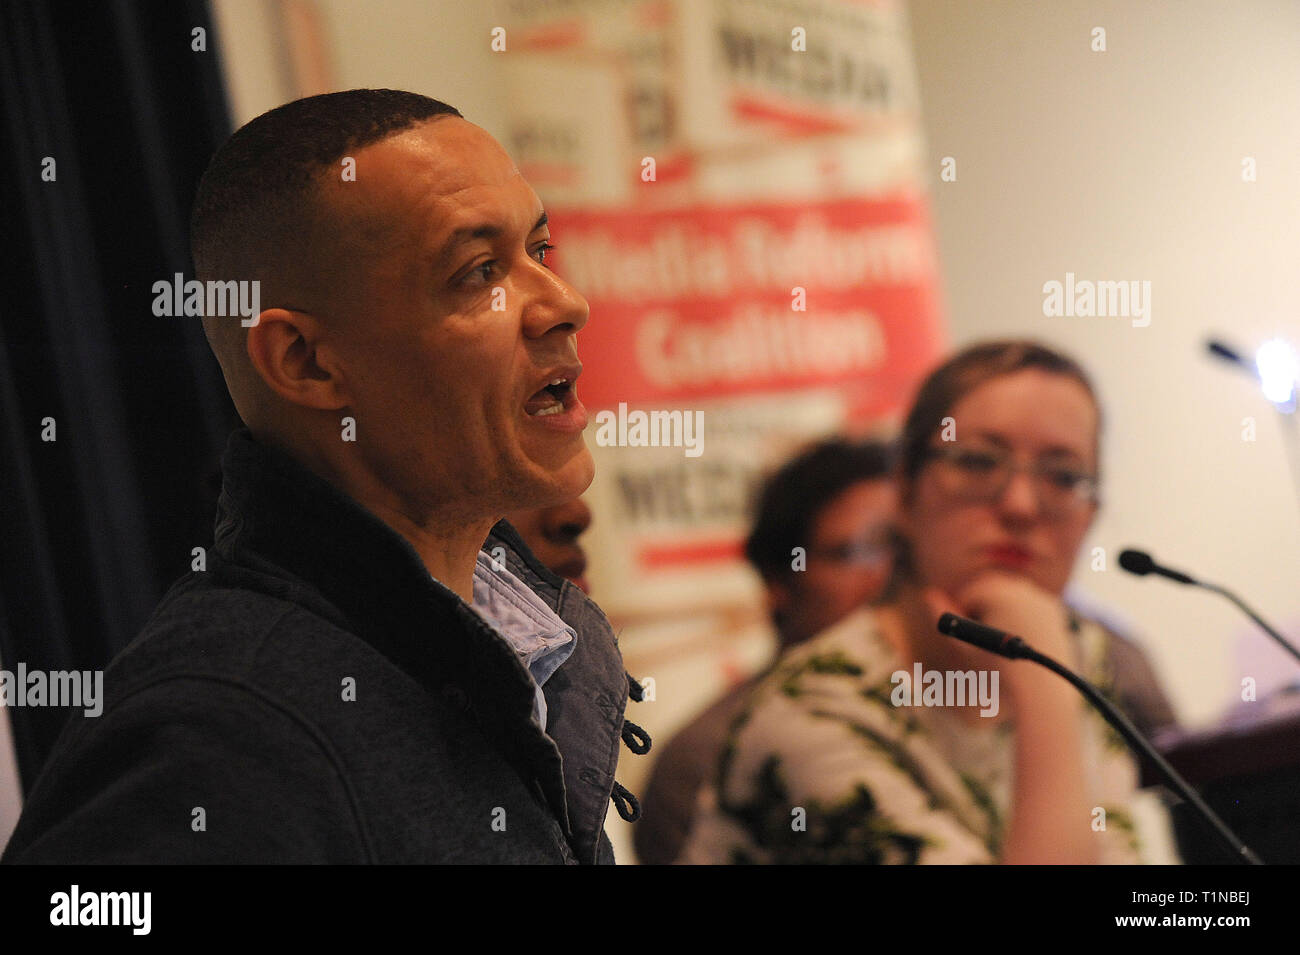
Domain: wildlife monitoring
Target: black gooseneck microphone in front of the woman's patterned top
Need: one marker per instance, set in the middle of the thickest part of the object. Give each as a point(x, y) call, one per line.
point(1004, 644)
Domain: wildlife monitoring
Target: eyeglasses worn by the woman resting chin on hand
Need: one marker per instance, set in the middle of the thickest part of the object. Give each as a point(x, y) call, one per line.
point(982, 475)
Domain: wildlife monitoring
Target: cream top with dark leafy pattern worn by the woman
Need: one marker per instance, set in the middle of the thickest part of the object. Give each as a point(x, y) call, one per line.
point(822, 767)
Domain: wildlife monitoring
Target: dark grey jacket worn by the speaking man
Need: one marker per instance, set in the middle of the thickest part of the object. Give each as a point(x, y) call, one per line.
point(228, 737)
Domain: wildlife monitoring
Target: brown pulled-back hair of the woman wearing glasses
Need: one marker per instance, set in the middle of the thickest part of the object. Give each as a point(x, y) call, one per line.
point(965, 372)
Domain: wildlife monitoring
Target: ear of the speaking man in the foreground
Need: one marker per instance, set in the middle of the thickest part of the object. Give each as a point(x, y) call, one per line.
point(287, 350)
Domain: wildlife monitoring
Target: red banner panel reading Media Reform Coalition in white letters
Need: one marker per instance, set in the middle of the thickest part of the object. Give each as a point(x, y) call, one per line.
point(720, 301)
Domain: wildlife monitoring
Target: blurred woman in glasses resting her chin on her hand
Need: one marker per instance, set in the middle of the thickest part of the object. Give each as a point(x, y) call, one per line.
point(882, 741)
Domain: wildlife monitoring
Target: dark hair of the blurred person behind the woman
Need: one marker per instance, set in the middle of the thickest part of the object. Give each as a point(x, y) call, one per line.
point(796, 494)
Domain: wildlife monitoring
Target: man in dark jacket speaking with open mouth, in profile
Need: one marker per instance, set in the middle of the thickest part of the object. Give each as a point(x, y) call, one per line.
point(371, 668)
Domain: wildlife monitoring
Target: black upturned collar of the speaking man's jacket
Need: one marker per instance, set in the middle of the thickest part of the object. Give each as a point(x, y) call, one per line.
point(288, 532)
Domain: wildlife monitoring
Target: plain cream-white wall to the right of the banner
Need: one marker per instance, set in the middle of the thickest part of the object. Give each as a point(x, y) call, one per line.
point(1128, 166)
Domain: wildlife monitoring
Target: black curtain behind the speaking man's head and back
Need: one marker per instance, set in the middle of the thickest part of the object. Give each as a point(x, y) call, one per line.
point(101, 520)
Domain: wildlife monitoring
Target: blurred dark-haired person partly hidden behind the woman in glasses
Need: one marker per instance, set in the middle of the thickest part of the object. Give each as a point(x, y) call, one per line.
point(822, 542)
